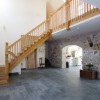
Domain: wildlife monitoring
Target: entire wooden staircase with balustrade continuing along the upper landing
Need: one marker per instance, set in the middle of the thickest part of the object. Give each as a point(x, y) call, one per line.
point(71, 12)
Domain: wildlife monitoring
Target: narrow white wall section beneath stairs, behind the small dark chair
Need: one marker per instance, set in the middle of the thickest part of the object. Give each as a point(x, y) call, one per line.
point(41, 54)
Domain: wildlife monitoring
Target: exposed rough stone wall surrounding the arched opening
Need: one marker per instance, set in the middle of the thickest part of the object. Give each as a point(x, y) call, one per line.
point(90, 55)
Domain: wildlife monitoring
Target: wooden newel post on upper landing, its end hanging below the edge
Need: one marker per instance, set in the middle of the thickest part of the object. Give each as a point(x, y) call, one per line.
point(68, 14)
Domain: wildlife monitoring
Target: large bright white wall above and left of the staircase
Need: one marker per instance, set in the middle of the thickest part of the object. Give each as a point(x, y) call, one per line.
point(17, 17)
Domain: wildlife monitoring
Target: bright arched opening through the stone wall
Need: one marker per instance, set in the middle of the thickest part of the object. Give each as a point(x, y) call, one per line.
point(72, 56)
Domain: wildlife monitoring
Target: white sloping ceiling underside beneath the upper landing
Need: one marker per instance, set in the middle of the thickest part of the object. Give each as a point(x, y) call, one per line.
point(86, 27)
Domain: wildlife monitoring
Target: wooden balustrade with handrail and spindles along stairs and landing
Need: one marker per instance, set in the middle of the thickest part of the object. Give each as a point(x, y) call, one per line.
point(69, 13)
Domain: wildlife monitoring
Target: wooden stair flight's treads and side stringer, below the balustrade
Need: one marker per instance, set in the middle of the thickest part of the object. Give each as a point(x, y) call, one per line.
point(29, 49)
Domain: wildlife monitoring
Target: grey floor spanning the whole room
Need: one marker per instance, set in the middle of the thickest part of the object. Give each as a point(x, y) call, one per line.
point(50, 84)
